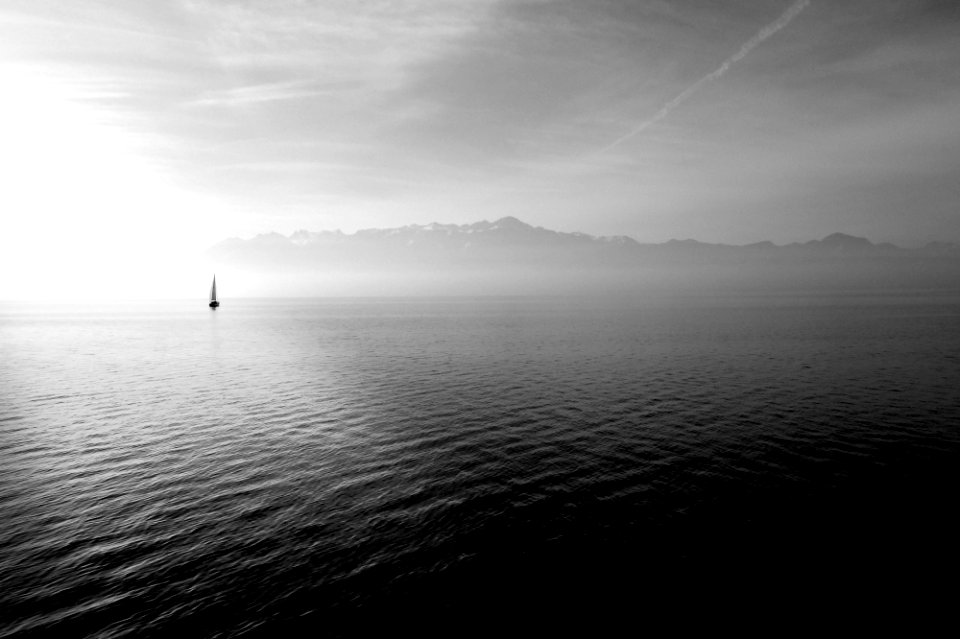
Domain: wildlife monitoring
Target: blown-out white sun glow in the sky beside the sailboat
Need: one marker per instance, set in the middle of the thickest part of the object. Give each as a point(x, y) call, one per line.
point(85, 217)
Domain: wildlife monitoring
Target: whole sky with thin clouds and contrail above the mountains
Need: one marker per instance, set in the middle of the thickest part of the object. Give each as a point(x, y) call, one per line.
point(136, 134)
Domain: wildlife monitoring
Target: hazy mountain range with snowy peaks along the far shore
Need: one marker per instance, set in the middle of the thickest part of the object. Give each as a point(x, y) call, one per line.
point(509, 257)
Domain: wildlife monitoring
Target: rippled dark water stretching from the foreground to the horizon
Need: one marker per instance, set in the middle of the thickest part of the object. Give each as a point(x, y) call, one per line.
point(345, 467)
